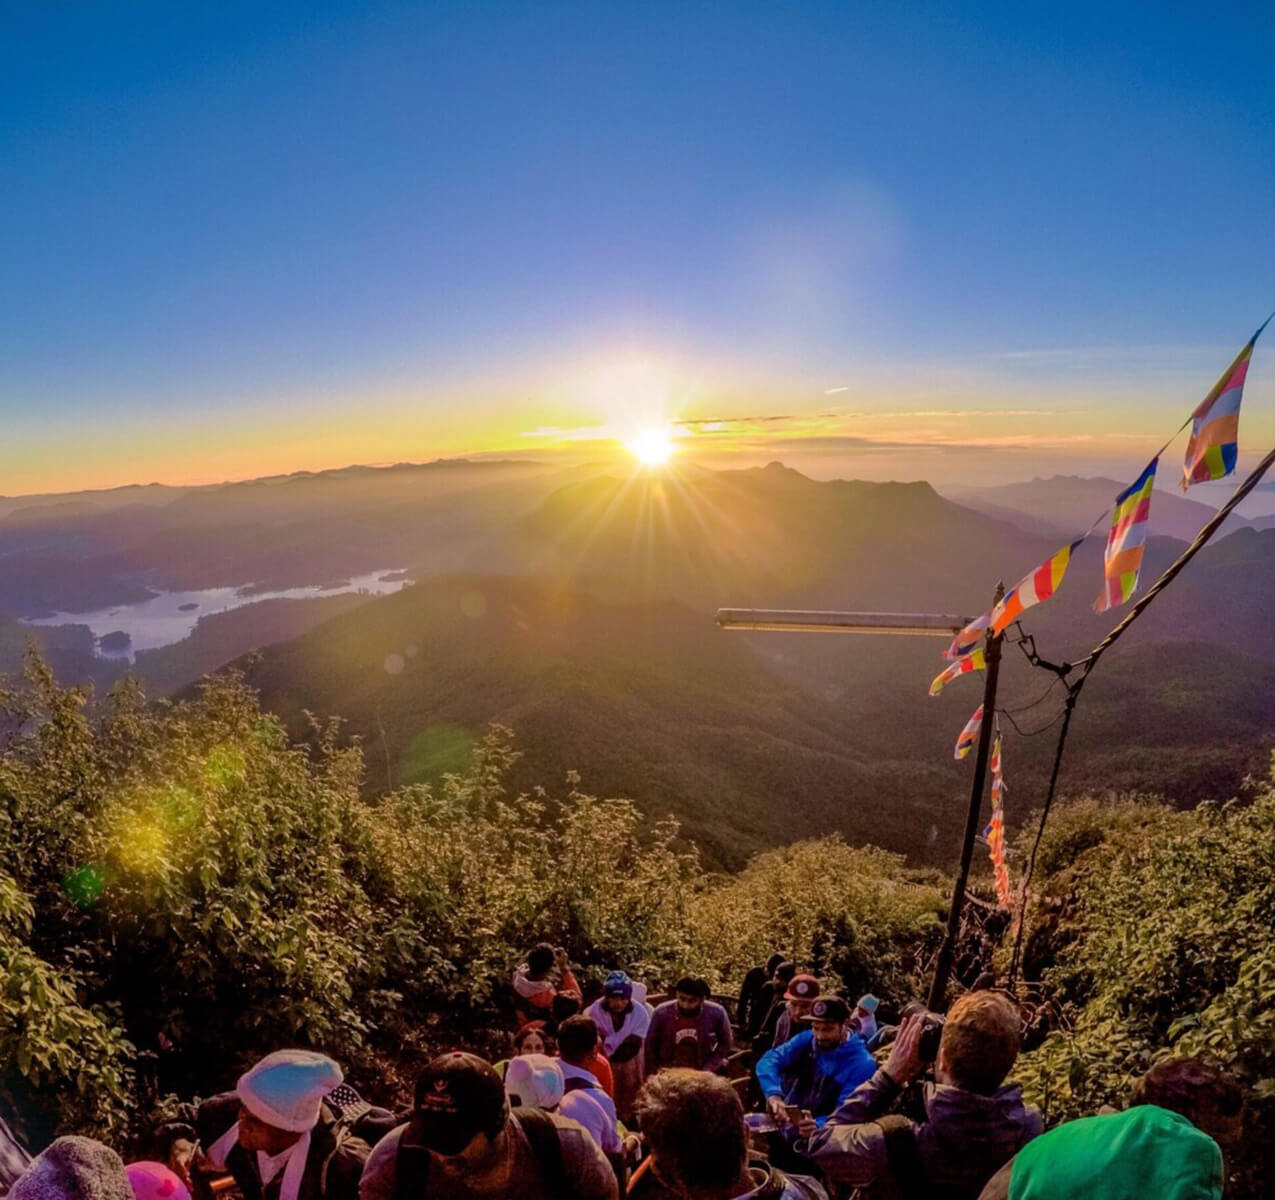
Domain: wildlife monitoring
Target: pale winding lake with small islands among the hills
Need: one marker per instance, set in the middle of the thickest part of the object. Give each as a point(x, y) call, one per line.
point(170, 617)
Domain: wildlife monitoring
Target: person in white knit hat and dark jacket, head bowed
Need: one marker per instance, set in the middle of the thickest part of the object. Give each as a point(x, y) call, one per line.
point(275, 1134)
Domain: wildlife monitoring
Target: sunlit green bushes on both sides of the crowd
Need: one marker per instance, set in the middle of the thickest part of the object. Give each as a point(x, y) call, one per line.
point(184, 888)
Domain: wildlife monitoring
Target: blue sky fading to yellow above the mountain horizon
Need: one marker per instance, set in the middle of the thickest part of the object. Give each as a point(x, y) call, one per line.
point(239, 238)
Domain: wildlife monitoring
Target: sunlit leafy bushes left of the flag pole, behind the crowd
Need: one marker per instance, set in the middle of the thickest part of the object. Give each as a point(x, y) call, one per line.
point(182, 889)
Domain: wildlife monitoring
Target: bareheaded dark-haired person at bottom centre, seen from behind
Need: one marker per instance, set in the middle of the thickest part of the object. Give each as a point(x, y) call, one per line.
point(696, 1130)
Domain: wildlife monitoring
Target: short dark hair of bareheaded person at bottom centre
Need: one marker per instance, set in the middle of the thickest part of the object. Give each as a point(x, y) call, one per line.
point(694, 1124)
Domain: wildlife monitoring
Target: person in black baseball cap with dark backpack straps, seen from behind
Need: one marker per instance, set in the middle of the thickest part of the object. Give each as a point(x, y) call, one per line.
point(463, 1142)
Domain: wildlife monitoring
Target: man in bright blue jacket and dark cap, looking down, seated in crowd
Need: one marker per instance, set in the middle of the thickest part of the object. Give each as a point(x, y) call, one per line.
point(817, 1071)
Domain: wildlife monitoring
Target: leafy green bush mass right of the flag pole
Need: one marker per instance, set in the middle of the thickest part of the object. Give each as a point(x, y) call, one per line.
point(1156, 932)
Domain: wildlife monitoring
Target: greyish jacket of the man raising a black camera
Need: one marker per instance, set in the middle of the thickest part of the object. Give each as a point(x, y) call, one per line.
point(965, 1139)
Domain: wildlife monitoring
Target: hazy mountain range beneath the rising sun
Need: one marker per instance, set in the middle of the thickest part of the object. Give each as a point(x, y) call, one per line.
point(577, 608)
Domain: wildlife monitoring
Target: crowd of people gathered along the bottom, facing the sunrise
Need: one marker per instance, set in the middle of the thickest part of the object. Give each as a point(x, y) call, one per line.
point(804, 1096)
